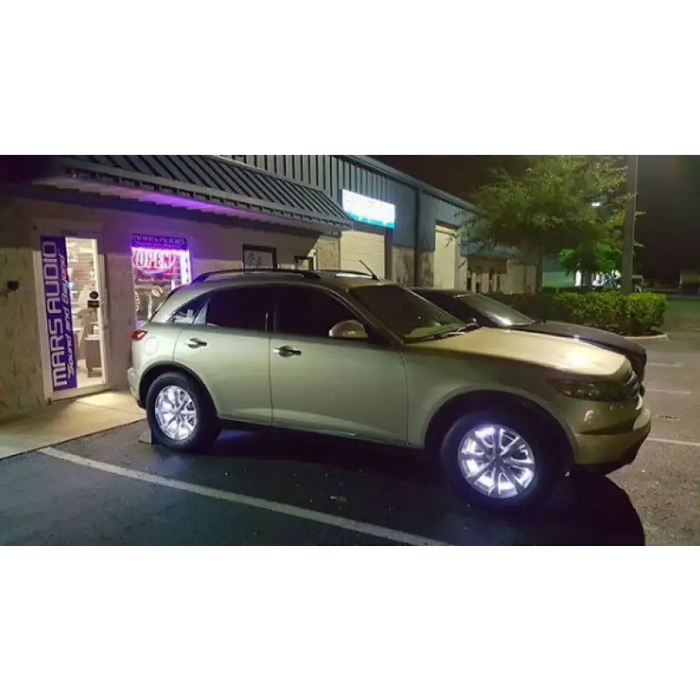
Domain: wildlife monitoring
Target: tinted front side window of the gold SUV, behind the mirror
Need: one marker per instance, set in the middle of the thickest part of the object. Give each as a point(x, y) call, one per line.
point(310, 312)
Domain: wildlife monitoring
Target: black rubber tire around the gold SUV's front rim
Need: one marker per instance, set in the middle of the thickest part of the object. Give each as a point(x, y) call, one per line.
point(550, 462)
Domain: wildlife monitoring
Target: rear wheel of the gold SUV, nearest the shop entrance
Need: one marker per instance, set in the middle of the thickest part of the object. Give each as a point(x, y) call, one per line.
point(181, 414)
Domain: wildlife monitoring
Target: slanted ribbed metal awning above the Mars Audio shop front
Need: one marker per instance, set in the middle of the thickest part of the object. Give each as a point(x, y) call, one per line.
point(196, 181)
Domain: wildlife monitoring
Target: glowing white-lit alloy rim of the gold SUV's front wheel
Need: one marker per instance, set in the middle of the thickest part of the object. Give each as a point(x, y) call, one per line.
point(497, 462)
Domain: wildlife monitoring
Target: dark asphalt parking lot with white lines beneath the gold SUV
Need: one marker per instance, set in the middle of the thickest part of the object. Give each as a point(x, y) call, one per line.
point(109, 490)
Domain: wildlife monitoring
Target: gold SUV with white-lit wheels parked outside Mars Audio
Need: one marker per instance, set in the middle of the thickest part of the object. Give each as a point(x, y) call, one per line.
point(504, 413)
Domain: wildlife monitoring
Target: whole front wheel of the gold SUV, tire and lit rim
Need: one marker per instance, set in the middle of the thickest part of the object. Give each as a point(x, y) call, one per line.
point(501, 460)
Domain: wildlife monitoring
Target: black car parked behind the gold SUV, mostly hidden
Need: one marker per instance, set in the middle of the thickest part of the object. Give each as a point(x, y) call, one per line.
point(476, 308)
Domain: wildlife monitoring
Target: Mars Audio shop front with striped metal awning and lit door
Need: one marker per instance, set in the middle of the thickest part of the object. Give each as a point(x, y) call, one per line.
point(90, 243)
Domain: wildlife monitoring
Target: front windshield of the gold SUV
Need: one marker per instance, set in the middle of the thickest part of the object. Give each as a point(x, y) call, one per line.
point(409, 316)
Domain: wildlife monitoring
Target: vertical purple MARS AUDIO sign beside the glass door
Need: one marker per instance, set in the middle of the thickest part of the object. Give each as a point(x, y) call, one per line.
point(59, 319)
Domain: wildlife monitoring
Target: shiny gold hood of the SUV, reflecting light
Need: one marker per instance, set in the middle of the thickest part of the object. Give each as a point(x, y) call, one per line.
point(563, 354)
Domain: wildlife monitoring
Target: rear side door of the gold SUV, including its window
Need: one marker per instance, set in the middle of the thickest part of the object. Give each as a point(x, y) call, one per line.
point(228, 348)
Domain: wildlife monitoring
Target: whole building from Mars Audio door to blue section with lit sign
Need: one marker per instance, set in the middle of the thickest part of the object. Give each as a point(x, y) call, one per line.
point(90, 242)
